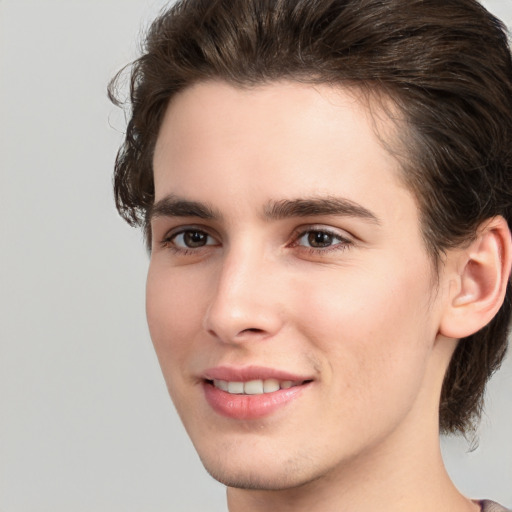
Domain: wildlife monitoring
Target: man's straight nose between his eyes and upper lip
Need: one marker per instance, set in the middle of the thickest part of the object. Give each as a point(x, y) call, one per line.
point(245, 304)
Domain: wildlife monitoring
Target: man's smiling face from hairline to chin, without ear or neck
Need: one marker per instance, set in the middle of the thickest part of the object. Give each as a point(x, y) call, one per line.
point(290, 296)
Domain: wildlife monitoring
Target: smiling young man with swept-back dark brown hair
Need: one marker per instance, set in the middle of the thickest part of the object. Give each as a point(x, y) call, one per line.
point(326, 188)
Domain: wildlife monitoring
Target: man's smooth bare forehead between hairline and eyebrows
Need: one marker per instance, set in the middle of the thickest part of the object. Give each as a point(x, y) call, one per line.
point(277, 141)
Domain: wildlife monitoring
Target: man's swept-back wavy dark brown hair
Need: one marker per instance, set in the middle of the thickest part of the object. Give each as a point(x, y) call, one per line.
point(444, 64)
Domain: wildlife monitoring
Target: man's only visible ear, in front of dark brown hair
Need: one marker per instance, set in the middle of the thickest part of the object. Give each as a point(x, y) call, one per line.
point(478, 277)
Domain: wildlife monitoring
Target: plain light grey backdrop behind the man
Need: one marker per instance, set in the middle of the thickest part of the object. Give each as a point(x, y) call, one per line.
point(85, 421)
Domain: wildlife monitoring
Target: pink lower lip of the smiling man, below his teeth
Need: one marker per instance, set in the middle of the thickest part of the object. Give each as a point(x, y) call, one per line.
point(249, 407)
